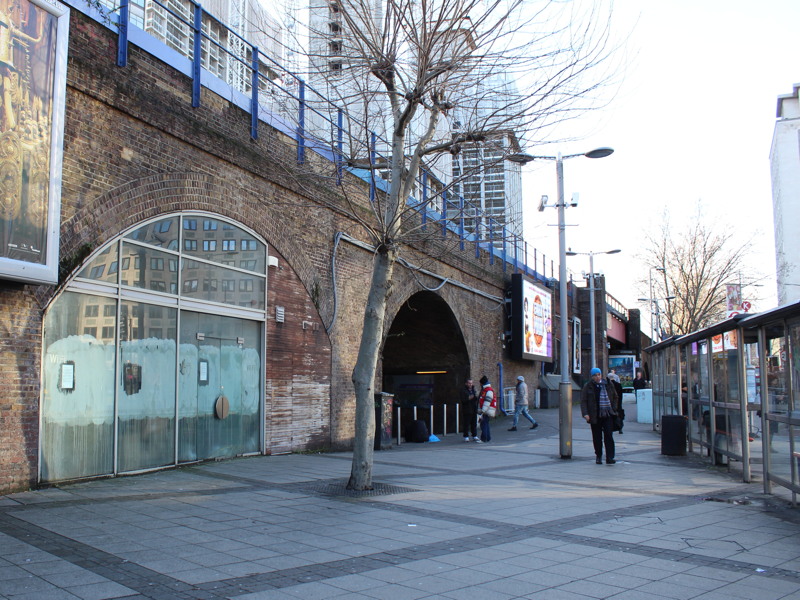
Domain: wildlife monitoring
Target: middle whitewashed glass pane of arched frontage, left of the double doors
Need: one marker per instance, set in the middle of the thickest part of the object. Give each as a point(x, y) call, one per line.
point(146, 388)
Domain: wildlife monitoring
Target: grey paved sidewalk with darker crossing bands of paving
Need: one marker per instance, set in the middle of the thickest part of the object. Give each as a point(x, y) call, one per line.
point(454, 520)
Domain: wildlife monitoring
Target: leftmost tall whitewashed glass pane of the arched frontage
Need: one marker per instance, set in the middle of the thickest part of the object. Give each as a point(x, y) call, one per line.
point(78, 388)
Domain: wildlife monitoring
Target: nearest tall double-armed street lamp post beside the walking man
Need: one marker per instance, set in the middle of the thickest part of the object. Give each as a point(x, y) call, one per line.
point(565, 385)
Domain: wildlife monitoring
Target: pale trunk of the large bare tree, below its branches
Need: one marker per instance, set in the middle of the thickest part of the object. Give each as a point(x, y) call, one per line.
point(364, 371)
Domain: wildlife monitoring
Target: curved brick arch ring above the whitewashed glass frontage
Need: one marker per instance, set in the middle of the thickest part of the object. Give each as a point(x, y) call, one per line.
point(116, 210)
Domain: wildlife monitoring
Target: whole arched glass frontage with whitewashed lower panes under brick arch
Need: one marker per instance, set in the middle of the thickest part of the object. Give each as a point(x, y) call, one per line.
point(138, 354)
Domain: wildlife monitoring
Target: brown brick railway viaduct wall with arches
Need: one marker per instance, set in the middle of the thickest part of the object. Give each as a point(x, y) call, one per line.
point(134, 148)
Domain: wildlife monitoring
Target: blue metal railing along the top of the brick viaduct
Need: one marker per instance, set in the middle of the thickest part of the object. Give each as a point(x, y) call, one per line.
point(333, 149)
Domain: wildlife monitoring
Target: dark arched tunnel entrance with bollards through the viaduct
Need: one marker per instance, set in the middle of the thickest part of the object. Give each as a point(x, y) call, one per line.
point(425, 363)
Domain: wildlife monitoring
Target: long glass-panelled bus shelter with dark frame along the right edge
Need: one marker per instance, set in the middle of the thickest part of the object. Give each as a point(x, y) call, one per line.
point(736, 384)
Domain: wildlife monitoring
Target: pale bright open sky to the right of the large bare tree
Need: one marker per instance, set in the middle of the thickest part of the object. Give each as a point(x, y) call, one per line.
point(691, 124)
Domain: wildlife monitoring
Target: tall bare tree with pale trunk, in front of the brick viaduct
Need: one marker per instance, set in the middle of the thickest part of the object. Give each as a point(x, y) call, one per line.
point(421, 81)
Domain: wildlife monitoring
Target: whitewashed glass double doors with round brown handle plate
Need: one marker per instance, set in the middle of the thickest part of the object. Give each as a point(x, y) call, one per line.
point(219, 387)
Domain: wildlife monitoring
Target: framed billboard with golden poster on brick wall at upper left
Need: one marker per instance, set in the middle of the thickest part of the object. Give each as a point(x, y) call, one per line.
point(33, 67)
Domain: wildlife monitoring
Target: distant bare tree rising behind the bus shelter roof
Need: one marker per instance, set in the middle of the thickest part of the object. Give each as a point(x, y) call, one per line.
point(691, 268)
